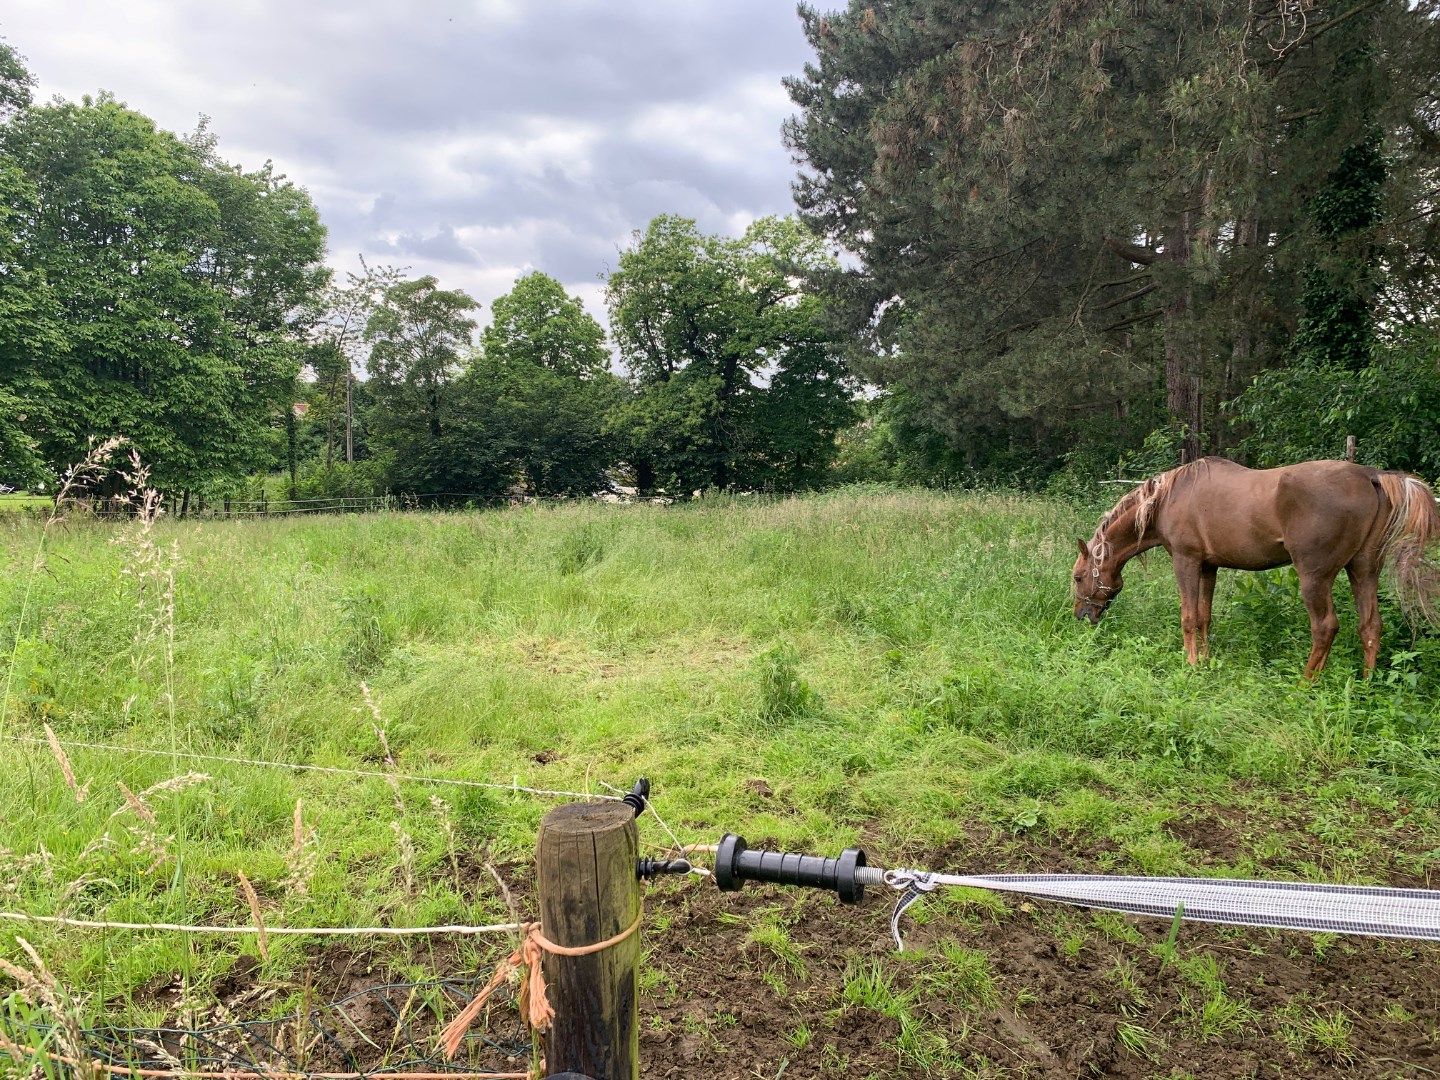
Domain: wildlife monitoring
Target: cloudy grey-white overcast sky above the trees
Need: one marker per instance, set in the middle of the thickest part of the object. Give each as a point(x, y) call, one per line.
point(467, 140)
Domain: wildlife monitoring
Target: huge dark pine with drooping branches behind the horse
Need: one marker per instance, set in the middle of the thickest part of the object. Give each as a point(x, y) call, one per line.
point(1068, 215)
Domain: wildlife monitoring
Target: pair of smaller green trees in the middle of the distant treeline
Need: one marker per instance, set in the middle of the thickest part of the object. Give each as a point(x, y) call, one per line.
point(525, 413)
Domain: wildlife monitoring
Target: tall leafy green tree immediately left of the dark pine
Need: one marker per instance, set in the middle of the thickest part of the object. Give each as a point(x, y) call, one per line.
point(737, 378)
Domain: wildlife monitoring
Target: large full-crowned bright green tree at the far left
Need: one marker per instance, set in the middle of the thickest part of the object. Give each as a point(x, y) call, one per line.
point(153, 293)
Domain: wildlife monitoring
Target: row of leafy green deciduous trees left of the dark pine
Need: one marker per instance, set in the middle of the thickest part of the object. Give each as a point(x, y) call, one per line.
point(152, 290)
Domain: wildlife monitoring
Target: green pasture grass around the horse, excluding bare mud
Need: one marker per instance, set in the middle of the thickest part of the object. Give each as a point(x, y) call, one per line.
point(882, 667)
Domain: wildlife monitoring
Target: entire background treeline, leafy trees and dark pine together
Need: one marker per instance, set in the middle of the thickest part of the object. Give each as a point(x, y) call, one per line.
point(1081, 238)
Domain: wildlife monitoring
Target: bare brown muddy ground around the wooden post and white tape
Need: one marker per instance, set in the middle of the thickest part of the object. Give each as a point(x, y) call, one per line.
point(783, 984)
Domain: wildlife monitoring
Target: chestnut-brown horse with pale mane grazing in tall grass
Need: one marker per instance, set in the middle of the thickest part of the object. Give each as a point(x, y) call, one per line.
point(1321, 516)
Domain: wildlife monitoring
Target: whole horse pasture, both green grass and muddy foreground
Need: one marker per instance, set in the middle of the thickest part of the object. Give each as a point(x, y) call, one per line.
point(892, 669)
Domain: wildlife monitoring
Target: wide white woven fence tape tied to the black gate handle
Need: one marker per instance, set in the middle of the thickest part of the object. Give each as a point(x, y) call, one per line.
point(1373, 911)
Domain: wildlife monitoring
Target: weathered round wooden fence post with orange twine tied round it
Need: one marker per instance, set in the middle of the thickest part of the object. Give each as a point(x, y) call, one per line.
point(587, 859)
